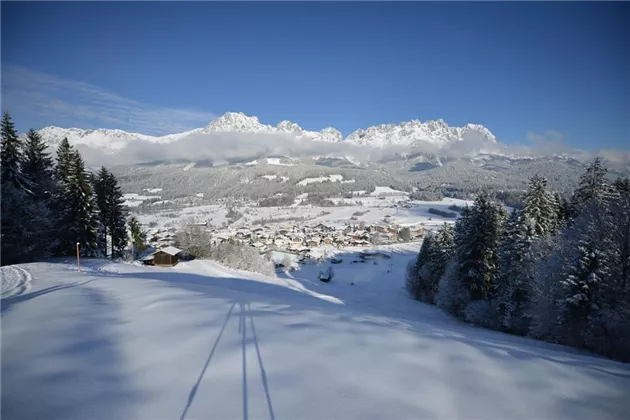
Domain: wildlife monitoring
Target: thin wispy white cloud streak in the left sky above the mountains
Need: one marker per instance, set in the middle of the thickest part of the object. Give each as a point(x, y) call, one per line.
point(64, 102)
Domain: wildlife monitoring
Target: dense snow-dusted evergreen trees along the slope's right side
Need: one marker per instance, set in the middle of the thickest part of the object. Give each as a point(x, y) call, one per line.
point(556, 270)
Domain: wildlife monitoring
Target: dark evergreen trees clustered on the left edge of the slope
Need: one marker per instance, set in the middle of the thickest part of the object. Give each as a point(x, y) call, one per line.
point(50, 204)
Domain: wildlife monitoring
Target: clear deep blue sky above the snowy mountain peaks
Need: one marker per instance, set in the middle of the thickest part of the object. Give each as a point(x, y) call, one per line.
point(528, 70)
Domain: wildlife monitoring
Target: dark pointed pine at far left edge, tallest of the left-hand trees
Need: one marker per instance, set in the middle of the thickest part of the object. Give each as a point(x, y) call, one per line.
point(10, 154)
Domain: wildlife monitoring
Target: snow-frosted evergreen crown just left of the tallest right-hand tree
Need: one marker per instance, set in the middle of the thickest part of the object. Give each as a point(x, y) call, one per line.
point(541, 206)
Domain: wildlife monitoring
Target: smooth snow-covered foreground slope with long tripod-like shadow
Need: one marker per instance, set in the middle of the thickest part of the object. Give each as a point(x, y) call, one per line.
point(120, 341)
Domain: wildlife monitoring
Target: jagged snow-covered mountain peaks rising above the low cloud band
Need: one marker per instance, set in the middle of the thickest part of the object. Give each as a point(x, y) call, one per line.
point(408, 134)
